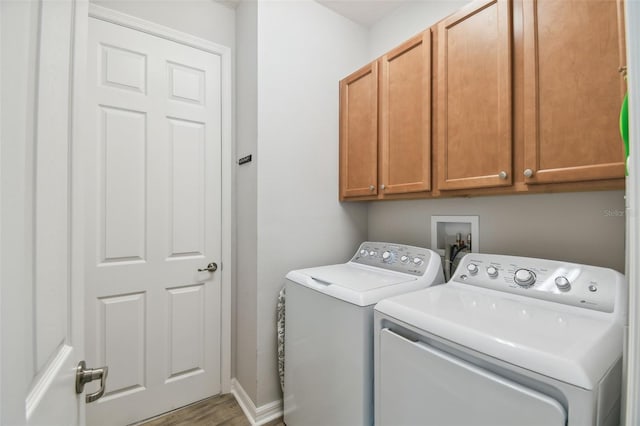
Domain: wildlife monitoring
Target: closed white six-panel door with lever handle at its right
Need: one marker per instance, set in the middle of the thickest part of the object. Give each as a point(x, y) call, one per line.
point(153, 220)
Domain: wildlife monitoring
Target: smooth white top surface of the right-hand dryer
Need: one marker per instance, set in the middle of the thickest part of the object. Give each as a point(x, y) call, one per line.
point(551, 339)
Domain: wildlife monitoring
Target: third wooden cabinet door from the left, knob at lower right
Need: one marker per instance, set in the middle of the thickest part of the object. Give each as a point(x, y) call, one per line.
point(474, 112)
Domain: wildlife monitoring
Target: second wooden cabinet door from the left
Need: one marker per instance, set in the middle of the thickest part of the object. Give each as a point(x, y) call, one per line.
point(405, 117)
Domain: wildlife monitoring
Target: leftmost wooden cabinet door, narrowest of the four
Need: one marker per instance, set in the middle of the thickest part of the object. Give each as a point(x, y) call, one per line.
point(359, 133)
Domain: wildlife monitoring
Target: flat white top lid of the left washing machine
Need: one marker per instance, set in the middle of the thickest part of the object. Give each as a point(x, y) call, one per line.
point(360, 285)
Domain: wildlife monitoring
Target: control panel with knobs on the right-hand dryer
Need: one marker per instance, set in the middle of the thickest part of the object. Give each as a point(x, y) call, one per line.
point(584, 286)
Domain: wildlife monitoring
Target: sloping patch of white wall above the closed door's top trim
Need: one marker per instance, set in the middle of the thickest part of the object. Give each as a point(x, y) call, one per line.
point(202, 18)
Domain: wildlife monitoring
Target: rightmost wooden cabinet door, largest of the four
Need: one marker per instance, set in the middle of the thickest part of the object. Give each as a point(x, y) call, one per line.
point(573, 91)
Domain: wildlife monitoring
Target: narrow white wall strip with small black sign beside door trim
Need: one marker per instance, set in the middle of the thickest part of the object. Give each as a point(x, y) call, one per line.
point(245, 320)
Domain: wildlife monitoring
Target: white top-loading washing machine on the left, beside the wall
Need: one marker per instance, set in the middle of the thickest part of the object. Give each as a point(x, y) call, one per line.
point(328, 376)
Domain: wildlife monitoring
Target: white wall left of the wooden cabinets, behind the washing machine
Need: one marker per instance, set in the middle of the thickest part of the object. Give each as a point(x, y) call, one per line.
point(304, 49)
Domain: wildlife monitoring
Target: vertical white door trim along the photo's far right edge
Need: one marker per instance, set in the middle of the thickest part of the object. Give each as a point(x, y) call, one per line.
point(632, 410)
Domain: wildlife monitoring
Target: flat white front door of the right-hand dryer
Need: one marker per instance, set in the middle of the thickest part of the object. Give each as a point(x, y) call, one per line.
point(422, 385)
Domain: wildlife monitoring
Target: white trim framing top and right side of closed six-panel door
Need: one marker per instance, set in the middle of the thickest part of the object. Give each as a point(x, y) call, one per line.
point(224, 53)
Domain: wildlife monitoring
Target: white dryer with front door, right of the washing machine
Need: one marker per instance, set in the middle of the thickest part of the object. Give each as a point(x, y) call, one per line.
point(507, 341)
